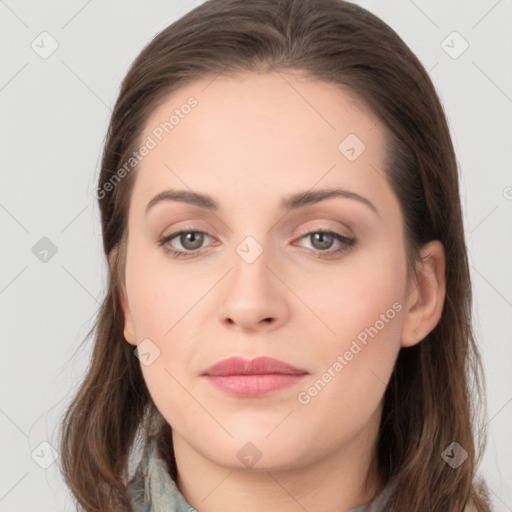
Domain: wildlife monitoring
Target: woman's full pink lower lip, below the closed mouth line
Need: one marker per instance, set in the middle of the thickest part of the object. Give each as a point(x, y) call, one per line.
point(254, 385)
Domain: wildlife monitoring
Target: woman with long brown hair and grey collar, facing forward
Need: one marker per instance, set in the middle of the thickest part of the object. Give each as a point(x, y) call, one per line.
point(287, 323)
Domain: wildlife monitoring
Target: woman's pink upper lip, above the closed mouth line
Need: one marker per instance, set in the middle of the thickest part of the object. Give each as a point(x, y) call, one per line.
point(256, 366)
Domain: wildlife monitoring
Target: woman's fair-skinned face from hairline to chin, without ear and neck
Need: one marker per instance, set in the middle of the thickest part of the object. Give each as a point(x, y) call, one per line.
point(262, 275)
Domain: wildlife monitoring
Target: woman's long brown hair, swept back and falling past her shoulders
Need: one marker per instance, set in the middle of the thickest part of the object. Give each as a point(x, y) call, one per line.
point(431, 400)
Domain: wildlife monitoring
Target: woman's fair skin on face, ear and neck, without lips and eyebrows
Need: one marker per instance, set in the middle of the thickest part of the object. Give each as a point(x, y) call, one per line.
point(251, 141)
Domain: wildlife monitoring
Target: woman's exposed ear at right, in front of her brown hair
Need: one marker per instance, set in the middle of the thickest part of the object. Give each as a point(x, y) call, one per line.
point(425, 299)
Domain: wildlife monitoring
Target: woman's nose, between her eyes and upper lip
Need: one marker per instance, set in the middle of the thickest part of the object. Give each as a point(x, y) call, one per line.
point(254, 296)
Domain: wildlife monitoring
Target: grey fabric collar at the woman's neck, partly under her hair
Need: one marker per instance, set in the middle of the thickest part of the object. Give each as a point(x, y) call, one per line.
point(152, 489)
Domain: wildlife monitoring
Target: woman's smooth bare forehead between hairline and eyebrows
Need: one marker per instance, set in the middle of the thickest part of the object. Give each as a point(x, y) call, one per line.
point(260, 132)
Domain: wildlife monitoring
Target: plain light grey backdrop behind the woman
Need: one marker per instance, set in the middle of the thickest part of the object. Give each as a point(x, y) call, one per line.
point(54, 116)
